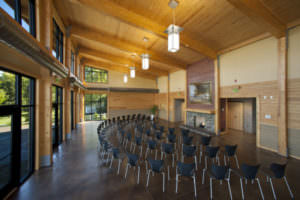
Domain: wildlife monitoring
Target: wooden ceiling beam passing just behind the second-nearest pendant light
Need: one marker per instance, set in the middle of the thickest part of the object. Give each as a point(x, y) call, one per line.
point(80, 32)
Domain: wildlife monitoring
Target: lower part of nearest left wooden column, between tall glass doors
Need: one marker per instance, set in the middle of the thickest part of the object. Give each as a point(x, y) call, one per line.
point(43, 122)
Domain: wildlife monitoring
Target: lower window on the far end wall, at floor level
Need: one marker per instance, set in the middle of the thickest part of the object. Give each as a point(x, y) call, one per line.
point(95, 106)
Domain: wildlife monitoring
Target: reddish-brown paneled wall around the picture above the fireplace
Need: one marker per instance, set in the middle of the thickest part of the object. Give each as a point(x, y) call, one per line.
point(201, 72)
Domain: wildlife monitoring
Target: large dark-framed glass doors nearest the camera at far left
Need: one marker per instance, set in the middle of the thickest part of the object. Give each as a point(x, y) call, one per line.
point(16, 129)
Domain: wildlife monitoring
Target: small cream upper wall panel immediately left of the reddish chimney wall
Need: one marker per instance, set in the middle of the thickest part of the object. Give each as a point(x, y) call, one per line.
point(178, 81)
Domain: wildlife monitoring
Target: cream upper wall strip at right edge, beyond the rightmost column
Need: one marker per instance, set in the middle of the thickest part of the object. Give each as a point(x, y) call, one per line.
point(294, 53)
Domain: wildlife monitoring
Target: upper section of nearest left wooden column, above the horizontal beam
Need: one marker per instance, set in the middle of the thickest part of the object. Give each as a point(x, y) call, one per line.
point(44, 23)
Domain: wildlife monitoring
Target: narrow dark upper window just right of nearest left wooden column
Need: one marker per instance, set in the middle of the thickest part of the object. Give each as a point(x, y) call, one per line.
point(58, 42)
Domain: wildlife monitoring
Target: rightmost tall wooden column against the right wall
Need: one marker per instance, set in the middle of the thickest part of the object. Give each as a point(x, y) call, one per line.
point(282, 97)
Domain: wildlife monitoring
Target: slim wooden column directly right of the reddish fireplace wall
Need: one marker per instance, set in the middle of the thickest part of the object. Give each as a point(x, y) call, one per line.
point(217, 95)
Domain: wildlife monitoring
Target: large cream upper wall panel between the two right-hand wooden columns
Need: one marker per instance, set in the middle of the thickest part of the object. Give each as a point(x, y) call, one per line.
point(253, 63)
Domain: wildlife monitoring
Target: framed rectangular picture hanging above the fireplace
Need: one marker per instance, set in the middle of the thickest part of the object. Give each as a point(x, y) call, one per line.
point(200, 92)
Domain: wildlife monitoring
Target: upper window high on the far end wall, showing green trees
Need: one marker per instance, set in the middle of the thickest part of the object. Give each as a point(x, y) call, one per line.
point(93, 75)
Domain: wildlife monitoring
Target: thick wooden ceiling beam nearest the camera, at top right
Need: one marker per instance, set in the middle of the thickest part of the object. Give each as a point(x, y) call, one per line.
point(261, 15)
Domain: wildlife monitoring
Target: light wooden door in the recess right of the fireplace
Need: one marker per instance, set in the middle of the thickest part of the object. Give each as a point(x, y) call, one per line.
point(236, 115)
